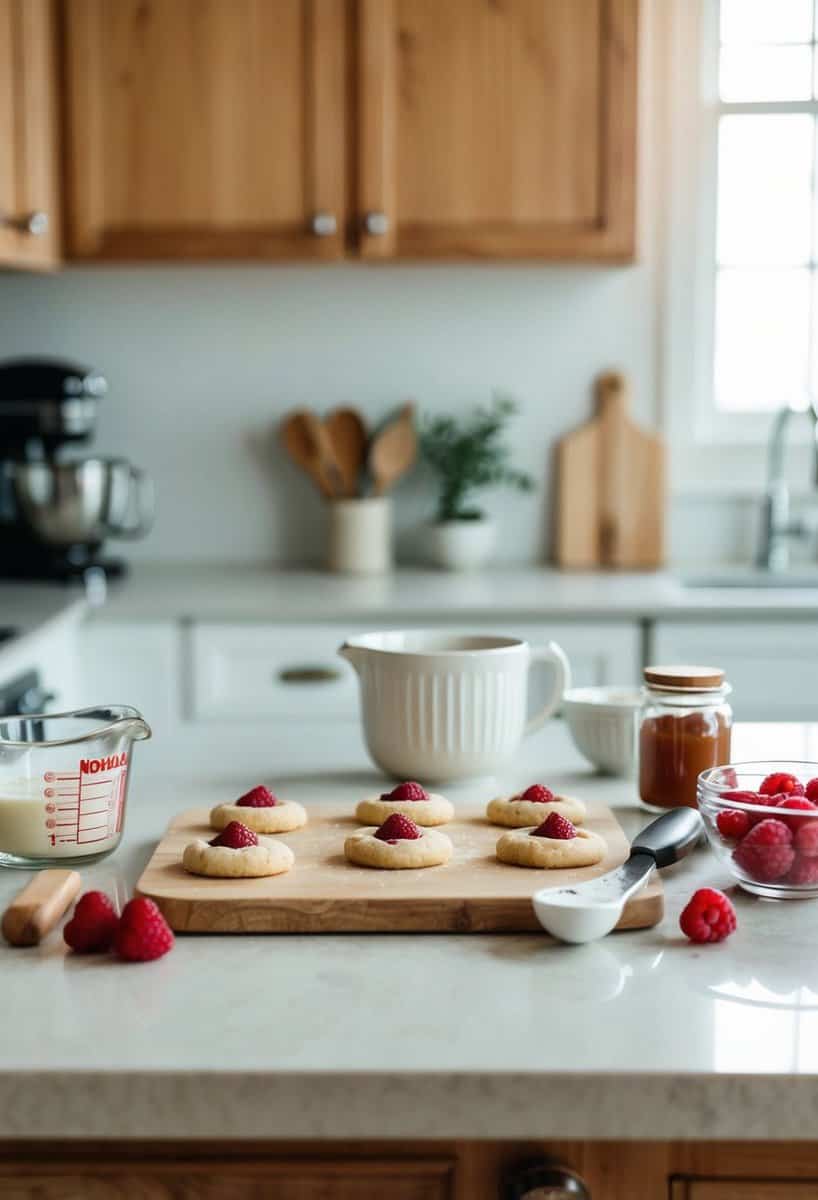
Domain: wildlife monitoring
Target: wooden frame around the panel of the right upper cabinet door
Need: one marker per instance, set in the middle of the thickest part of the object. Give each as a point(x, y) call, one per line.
point(610, 237)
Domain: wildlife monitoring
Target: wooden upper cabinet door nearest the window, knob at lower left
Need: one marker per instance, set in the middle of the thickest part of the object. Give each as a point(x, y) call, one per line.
point(497, 130)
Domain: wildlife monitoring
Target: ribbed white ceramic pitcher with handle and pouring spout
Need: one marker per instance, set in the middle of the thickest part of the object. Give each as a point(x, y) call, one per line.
point(438, 706)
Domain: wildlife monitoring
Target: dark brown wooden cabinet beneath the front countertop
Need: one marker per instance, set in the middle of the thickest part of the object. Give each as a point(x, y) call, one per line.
point(464, 1171)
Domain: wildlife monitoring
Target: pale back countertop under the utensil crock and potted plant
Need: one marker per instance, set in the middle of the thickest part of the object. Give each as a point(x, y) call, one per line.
point(256, 593)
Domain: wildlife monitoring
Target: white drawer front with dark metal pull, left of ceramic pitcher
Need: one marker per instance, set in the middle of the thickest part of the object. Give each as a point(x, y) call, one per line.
point(287, 671)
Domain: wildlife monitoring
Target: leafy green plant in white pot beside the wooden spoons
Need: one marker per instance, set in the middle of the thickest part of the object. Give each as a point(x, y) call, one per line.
point(468, 454)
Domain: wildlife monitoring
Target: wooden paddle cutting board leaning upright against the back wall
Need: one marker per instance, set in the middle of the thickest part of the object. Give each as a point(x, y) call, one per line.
point(611, 488)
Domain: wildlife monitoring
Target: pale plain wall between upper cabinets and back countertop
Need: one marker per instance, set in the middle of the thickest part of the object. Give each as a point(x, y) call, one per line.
point(202, 363)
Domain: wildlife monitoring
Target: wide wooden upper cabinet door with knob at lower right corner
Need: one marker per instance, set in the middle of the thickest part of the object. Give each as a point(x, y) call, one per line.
point(207, 129)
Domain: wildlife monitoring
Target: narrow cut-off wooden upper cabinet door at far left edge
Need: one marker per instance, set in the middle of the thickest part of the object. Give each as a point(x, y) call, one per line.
point(29, 207)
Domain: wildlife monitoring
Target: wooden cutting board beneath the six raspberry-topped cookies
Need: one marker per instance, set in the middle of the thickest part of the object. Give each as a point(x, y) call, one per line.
point(326, 895)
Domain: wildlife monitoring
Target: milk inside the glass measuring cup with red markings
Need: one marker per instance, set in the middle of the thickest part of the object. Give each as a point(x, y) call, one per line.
point(62, 815)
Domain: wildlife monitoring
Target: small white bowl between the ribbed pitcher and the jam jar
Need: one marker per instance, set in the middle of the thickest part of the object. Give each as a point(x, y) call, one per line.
point(604, 724)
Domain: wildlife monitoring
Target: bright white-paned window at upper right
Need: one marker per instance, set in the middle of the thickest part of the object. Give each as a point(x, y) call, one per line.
point(765, 296)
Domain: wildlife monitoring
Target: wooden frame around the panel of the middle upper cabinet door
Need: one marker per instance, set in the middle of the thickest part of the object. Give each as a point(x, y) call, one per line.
point(91, 235)
